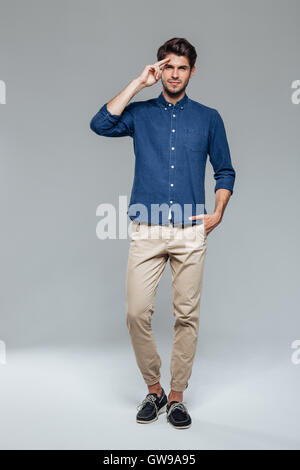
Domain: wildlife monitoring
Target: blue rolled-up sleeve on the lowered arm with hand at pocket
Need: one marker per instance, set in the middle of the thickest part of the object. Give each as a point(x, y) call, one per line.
point(219, 155)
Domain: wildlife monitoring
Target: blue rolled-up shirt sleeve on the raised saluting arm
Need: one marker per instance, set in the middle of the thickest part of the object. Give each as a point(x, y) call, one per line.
point(113, 125)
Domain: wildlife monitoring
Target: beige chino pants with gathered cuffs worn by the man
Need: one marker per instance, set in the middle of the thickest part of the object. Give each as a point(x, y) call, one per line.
point(150, 248)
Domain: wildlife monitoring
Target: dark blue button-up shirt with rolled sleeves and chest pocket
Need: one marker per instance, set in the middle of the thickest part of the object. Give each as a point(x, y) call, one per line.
point(171, 145)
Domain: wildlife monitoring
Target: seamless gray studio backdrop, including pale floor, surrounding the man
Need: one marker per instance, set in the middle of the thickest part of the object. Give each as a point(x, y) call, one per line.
point(63, 289)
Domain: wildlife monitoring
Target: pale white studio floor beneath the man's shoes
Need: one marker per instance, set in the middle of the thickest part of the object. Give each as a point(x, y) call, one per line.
point(86, 399)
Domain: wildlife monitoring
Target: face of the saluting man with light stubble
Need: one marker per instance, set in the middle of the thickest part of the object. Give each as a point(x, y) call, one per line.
point(176, 74)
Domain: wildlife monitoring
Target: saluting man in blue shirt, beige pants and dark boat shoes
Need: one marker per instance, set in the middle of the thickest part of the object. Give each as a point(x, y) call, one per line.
point(172, 136)
